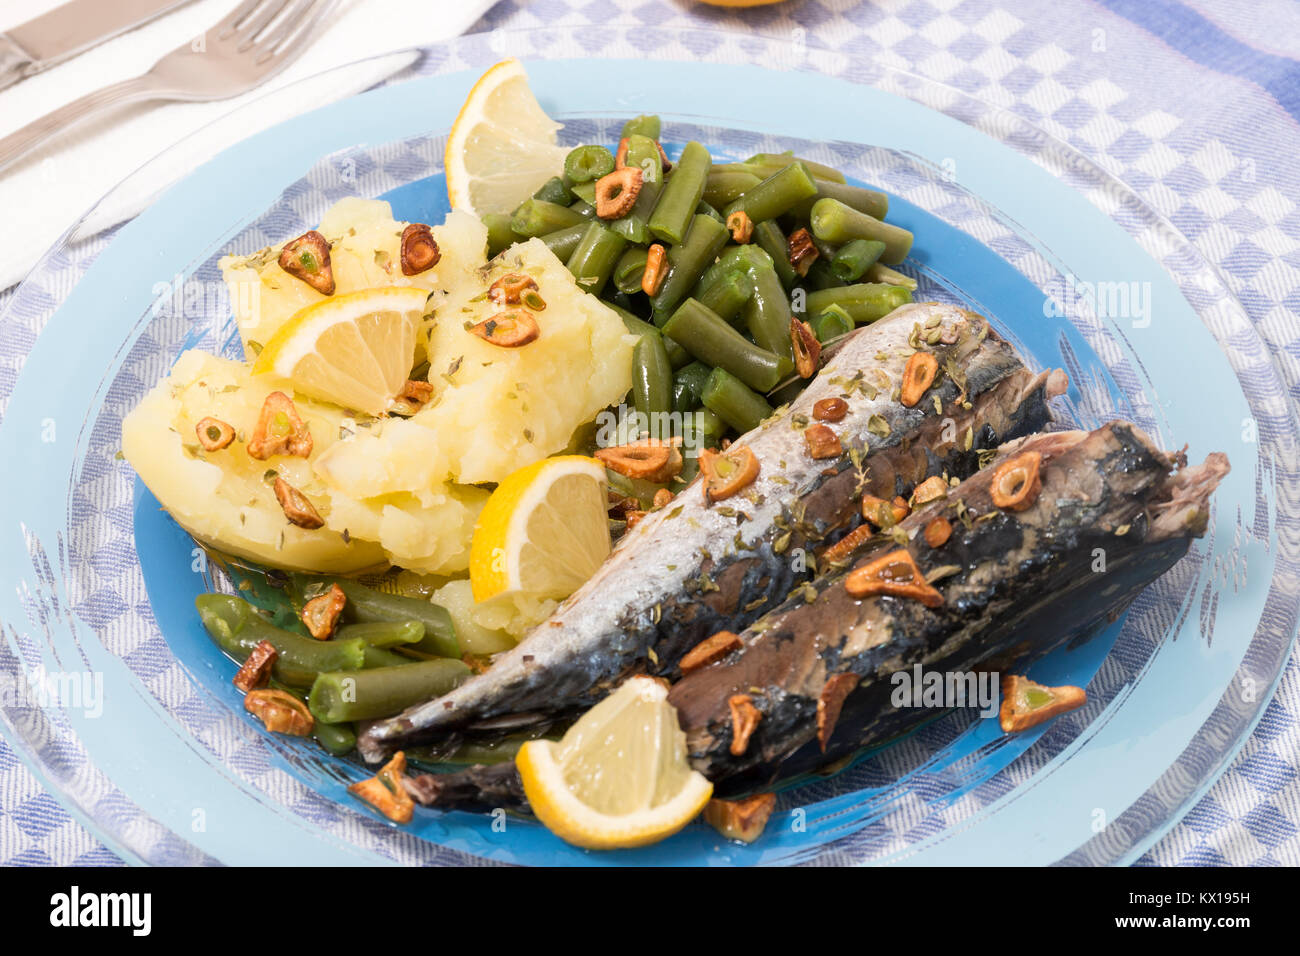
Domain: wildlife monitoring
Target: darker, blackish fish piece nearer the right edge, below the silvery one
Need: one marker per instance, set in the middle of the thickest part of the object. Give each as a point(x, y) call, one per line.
point(1024, 586)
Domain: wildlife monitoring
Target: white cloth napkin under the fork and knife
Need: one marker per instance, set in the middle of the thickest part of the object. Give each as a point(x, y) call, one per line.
point(44, 196)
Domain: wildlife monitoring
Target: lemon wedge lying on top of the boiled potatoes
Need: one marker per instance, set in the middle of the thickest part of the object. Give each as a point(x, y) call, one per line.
point(353, 351)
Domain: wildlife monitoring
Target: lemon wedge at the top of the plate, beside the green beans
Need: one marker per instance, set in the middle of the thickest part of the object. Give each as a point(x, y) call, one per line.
point(502, 145)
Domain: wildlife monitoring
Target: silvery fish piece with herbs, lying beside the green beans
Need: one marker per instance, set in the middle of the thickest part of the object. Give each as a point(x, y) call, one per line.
point(688, 570)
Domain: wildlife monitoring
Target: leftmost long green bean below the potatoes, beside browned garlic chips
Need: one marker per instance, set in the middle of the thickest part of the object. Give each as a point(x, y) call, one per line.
point(237, 629)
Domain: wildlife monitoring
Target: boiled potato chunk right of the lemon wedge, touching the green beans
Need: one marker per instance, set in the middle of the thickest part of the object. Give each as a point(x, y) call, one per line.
point(496, 410)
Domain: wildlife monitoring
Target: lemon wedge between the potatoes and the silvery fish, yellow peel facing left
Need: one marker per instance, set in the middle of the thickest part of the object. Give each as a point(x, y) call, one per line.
point(544, 531)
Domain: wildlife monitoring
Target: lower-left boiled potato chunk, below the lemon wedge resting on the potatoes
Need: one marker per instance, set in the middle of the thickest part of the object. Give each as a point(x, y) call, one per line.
point(226, 498)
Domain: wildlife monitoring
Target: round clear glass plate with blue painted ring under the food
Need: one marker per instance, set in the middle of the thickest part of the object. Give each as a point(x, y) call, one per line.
point(123, 708)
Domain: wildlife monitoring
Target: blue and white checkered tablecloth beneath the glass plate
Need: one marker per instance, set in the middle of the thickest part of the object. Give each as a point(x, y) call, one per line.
point(1197, 106)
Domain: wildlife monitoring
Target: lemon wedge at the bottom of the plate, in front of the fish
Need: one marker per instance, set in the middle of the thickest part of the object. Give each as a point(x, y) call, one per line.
point(619, 777)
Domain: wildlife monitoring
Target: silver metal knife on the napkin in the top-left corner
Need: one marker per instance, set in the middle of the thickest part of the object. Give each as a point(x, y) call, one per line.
point(70, 31)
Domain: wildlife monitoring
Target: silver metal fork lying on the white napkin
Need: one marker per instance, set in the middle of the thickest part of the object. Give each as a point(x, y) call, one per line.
point(246, 49)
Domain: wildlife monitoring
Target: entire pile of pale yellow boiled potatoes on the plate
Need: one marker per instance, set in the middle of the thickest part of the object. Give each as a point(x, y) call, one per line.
point(392, 491)
